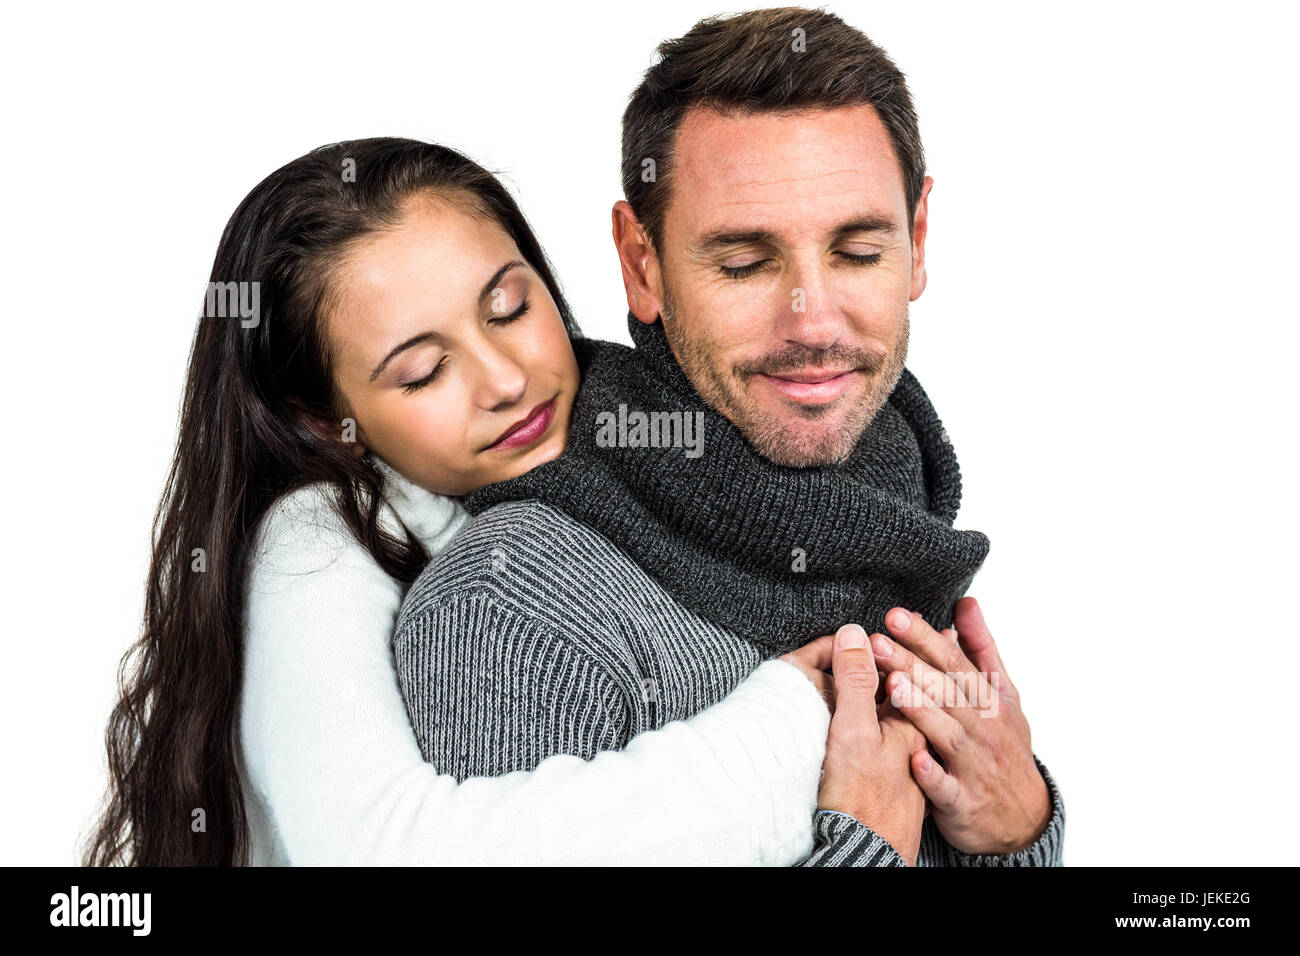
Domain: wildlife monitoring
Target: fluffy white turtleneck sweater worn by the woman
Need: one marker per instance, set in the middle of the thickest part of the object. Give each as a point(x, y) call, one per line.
point(333, 773)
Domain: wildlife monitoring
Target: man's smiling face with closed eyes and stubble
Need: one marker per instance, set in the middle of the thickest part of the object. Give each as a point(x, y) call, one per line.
point(786, 272)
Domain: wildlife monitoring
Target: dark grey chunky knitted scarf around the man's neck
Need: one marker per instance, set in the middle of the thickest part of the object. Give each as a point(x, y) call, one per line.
point(773, 553)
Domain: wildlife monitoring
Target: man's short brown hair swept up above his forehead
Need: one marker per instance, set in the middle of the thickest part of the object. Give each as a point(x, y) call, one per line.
point(773, 60)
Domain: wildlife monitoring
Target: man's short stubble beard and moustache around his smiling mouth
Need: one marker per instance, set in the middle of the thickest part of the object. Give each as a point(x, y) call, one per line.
point(769, 435)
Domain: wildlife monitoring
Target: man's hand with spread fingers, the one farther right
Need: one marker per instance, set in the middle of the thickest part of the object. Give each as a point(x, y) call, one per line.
point(989, 797)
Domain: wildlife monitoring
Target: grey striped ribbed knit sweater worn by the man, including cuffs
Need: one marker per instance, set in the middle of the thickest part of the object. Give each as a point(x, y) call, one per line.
point(532, 635)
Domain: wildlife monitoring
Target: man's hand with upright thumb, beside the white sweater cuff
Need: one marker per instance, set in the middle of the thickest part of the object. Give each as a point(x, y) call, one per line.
point(866, 772)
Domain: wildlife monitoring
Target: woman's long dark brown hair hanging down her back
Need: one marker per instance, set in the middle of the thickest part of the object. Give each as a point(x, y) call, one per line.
point(245, 440)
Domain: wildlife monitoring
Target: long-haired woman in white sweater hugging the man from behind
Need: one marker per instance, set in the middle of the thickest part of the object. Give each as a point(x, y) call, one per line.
point(393, 340)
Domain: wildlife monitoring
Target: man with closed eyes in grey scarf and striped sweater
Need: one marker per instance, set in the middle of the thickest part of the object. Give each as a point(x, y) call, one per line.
point(759, 471)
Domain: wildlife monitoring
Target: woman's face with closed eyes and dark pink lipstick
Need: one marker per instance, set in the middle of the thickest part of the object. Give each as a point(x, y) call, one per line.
point(444, 340)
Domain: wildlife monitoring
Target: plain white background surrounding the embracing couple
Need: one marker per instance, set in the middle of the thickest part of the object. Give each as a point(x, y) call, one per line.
point(1110, 334)
